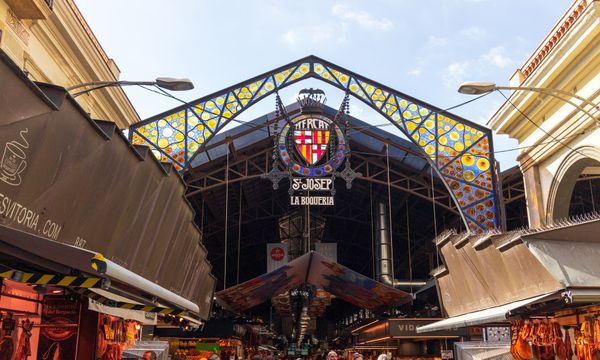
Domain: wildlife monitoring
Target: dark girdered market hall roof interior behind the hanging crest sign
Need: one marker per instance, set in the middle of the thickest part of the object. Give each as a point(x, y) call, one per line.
point(250, 209)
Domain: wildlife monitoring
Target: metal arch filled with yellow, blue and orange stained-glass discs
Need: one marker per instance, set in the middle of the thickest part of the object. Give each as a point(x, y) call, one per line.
point(460, 151)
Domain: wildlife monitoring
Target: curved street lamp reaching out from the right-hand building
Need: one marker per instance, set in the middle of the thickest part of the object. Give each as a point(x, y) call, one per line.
point(482, 87)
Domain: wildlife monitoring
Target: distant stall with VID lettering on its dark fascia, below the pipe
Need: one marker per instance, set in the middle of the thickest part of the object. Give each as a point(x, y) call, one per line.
point(399, 337)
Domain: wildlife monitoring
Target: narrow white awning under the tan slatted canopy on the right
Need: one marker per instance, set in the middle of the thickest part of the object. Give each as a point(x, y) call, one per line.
point(494, 314)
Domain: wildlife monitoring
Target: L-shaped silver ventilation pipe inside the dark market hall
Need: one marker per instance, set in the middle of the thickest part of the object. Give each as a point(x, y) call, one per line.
point(384, 251)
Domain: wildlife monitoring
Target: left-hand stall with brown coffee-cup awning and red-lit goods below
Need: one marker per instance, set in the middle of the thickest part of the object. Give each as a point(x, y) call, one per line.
point(95, 234)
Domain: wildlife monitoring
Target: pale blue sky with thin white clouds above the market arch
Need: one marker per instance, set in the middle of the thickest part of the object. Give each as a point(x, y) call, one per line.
point(423, 48)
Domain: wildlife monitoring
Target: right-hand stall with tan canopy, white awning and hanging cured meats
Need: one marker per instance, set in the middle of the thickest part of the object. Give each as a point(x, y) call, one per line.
point(544, 284)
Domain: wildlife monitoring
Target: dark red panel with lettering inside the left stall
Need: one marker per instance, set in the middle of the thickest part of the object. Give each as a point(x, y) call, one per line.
point(58, 335)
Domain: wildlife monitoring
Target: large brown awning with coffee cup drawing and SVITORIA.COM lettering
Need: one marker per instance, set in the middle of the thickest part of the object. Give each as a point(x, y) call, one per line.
point(71, 187)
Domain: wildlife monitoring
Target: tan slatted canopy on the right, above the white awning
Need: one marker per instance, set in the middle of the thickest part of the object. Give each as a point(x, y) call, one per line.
point(492, 270)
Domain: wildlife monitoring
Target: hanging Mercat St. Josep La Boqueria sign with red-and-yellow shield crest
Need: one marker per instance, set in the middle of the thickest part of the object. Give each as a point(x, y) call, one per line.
point(310, 148)
